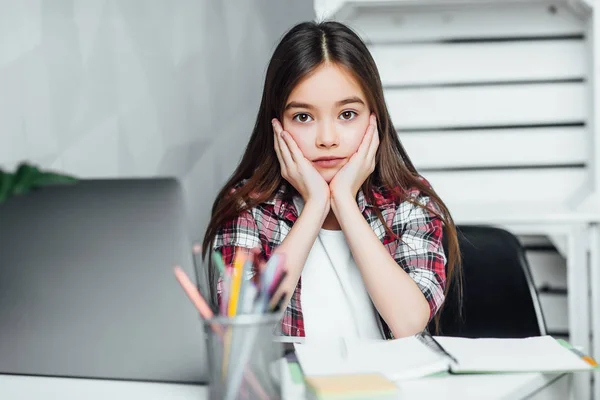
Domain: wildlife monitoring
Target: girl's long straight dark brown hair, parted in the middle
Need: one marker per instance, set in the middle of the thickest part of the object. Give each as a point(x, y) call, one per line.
point(302, 49)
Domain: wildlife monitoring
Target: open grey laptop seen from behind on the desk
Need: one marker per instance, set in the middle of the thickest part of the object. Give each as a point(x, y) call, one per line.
point(87, 286)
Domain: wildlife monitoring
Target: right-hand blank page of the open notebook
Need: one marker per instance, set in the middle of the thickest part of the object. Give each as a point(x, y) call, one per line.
point(535, 354)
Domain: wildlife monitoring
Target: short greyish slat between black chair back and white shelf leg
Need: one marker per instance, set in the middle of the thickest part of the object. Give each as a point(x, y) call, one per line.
point(548, 268)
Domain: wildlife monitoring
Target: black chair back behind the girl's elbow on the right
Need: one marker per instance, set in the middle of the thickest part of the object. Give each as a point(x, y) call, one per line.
point(499, 299)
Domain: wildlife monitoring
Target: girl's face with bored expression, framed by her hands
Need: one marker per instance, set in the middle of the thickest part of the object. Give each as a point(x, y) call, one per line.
point(327, 115)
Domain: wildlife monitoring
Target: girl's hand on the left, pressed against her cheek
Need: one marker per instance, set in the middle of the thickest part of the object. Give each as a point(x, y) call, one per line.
point(297, 170)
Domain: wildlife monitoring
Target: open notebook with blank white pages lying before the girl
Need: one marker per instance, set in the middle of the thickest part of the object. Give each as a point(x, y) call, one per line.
point(423, 355)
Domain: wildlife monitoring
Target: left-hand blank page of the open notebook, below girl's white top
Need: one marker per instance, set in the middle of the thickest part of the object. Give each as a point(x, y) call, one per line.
point(398, 359)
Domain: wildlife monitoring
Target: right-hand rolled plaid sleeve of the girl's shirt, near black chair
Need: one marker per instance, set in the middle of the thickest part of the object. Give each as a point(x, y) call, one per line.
point(420, 251)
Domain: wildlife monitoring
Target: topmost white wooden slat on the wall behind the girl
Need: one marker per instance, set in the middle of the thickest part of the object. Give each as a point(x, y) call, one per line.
point(401, 24)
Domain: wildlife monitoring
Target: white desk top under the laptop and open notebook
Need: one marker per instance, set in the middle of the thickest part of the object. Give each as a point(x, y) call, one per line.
point(492, 387)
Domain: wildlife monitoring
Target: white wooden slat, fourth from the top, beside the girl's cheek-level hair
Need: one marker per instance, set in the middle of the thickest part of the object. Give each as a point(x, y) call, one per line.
point(502, 147)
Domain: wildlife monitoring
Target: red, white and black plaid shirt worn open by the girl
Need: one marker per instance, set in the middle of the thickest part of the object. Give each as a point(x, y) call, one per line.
point(419, 253)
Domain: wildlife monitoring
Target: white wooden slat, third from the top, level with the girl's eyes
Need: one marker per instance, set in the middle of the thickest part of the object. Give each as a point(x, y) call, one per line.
point(487, 105)
